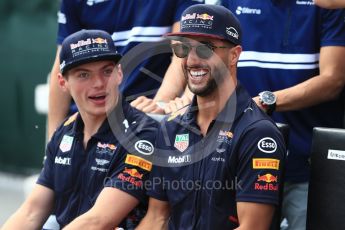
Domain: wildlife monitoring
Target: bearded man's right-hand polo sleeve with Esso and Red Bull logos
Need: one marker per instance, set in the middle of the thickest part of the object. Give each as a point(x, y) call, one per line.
point(260, 162)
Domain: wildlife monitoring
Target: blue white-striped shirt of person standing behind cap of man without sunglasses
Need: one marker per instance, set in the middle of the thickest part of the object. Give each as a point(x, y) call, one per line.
point(130, 22)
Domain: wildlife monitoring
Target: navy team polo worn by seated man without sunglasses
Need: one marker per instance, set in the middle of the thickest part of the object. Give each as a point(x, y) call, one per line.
point(123, 161)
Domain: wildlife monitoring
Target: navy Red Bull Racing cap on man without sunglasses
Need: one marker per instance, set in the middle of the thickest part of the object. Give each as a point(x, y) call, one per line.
point(87, 46)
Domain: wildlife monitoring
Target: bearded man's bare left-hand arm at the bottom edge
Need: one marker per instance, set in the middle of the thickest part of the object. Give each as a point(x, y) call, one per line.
point(157, 216)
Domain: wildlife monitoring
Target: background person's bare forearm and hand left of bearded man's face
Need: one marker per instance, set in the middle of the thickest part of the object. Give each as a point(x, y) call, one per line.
point(172, 86)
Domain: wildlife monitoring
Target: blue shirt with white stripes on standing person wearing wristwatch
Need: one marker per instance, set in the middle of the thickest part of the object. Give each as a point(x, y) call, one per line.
point(281, 48)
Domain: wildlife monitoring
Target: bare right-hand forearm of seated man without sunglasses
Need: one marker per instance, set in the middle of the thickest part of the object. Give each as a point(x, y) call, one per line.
point(103, 216)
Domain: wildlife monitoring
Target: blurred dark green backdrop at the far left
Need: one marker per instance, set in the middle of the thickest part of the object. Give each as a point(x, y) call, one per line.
point(27, 50)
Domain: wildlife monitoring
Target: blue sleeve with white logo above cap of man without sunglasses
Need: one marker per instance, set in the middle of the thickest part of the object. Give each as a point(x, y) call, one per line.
point(68, 21)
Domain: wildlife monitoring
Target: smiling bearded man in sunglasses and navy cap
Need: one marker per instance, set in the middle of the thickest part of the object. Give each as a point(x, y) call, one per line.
point(218, 165)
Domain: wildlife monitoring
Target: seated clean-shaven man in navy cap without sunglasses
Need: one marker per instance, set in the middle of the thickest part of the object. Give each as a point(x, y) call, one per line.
point(99, 158)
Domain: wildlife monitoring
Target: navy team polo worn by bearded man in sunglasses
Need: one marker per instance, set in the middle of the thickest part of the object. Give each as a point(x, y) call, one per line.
point(202, 178)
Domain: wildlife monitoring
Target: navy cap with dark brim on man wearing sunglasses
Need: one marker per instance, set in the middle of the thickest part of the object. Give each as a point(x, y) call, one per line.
point(213, 21)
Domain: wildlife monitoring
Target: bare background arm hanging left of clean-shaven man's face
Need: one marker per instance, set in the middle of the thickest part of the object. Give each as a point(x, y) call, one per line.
point(59, 101)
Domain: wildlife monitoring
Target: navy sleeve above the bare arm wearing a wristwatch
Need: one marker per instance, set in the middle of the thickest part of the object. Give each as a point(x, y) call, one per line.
point(332, 27)
